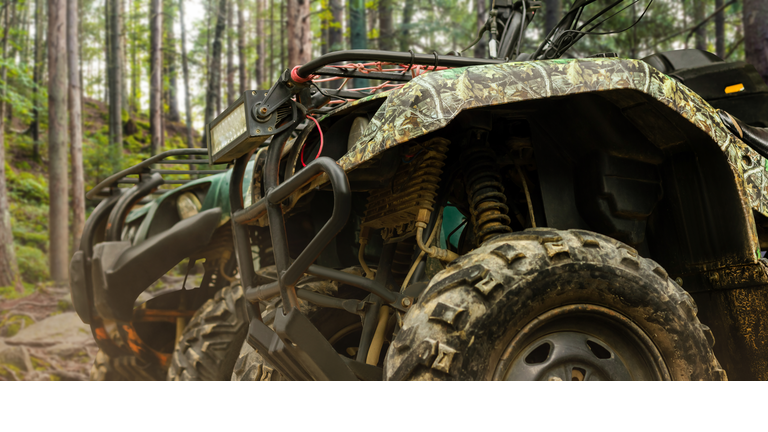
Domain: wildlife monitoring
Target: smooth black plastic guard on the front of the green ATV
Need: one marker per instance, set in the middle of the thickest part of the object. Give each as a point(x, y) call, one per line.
point(120, 272)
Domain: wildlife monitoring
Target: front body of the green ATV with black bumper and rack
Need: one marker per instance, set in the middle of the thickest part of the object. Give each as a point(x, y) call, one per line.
point(116, 264)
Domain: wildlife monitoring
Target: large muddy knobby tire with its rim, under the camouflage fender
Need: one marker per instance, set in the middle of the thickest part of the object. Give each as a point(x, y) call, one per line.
point(521, 303)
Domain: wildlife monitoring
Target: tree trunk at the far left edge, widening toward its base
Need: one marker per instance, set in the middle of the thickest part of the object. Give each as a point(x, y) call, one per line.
point(9, 270)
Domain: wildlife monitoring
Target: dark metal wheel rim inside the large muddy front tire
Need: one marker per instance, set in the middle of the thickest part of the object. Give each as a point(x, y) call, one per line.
point(581, 343)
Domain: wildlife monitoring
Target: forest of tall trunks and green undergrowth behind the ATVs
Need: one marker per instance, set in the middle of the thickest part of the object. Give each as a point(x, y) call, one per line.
point(88, 87)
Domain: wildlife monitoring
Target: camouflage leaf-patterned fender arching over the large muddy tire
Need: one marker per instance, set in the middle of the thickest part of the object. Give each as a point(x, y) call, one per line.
point(430, 101)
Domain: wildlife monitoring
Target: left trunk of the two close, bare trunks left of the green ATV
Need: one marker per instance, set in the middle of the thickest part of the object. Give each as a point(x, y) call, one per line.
point(58, 251)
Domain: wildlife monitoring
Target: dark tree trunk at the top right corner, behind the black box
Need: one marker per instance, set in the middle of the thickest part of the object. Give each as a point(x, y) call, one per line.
point(755, 17)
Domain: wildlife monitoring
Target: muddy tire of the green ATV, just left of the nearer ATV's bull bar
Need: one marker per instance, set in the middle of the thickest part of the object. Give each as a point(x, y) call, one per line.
point(210, 344)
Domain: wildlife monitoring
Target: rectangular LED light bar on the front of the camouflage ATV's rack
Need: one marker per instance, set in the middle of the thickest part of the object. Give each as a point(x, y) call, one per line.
point(236, 131)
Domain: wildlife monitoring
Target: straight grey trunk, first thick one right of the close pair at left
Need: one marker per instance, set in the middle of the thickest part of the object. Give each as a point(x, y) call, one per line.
point(115, 71)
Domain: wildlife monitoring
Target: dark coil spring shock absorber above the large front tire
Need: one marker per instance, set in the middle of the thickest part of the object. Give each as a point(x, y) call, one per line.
point(487, 201)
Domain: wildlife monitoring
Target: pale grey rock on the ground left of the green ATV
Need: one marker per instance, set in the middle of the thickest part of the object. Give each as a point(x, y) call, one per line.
point(65, 328)
